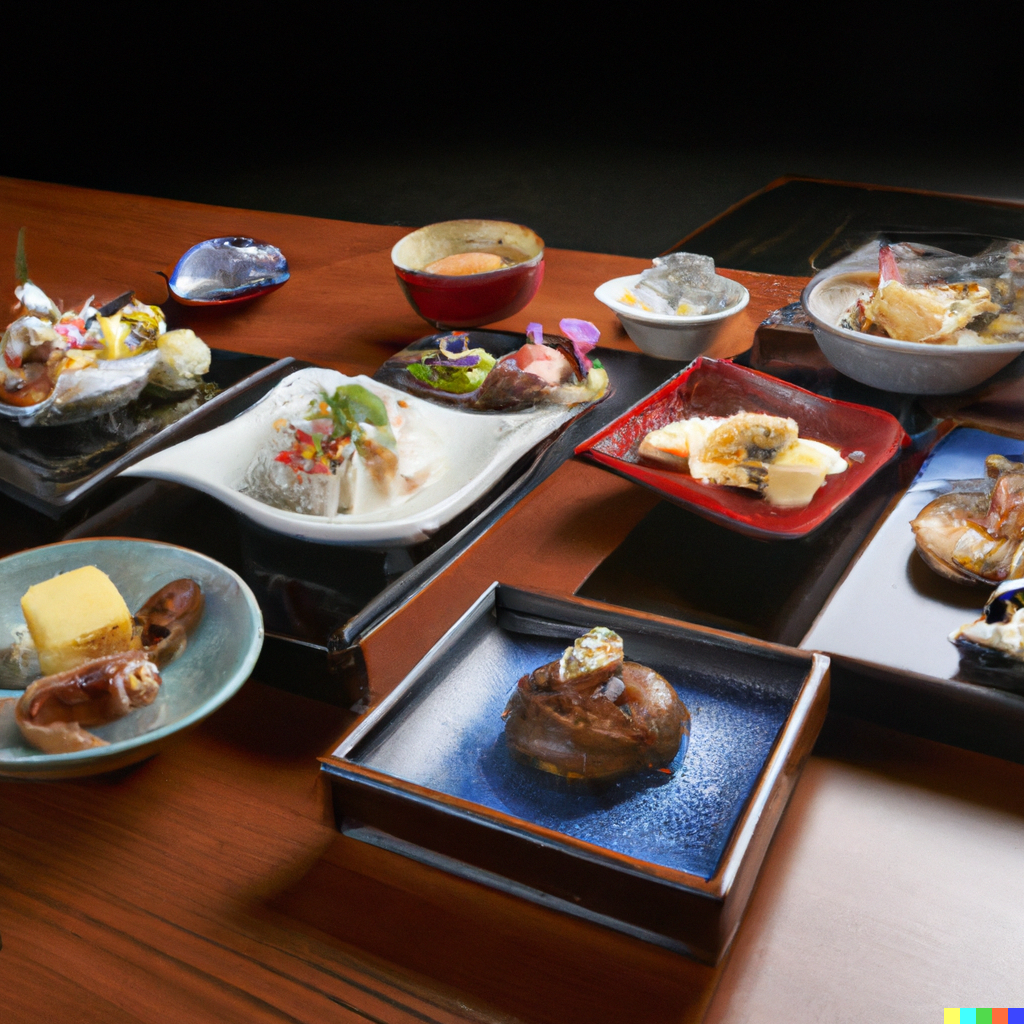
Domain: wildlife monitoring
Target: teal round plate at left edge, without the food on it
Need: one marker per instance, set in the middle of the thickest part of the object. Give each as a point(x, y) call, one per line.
point(219, 659)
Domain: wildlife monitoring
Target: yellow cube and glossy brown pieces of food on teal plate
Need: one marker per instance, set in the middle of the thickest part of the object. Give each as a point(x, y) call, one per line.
point(99, 662)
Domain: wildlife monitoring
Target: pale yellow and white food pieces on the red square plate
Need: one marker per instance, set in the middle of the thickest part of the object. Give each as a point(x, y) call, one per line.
point(753, 451)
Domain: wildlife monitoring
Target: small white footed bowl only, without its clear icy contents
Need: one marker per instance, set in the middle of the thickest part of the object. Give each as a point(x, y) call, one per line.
point(665, 336)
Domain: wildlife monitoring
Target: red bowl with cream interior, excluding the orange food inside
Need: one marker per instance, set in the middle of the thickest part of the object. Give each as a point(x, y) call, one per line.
point(475, 300)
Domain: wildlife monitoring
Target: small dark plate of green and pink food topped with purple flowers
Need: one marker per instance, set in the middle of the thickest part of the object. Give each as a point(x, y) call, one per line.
point(549, 370)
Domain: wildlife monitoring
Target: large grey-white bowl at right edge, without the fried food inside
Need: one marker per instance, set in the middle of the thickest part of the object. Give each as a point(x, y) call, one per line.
point(908, 367)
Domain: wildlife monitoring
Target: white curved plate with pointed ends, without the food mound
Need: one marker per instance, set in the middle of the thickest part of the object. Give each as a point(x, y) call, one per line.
point(479, 450)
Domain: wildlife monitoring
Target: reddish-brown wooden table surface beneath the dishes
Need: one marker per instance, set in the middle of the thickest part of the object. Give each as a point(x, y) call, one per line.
point(209, 883)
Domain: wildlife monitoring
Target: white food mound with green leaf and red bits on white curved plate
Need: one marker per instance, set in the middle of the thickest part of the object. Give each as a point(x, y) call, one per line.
point(349, 451)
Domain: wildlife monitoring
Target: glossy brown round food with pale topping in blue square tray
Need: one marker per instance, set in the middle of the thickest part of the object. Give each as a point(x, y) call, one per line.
point(592, 715)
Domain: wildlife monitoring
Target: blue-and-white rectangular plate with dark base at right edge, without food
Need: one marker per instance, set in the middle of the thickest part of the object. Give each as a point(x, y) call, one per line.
point(886, 625)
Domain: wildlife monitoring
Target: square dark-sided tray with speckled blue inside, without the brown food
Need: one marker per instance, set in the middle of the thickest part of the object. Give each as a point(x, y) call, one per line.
point(670, 859)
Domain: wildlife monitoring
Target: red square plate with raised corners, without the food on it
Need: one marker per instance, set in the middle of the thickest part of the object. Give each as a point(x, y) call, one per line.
point(712, 388)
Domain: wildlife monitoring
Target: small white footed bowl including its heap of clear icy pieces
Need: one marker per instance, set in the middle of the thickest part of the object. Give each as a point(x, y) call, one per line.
point(677, 310)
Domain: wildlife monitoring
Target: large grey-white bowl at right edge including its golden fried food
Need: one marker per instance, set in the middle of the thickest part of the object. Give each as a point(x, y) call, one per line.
point(957, 314)
